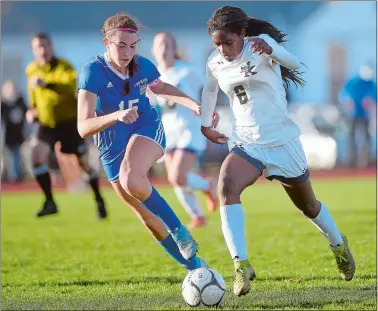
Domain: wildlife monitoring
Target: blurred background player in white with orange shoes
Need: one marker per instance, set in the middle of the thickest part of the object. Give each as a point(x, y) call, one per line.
point(185, 143)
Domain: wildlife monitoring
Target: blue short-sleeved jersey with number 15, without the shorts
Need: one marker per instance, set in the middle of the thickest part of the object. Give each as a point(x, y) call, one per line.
point(100, 78)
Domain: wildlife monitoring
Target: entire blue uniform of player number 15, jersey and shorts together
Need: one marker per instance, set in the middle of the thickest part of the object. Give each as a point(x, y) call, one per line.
point(99, 77)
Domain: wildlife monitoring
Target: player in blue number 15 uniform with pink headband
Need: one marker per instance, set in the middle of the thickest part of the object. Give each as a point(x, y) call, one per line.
point(112, 105)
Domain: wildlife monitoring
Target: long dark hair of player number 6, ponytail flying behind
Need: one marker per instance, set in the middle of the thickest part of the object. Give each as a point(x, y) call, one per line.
point(234, 19)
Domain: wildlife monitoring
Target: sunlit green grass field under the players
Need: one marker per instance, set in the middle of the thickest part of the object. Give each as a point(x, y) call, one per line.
point(72, 261)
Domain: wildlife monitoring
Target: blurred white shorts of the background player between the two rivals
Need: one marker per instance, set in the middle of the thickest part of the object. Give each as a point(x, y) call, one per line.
point(185, 137)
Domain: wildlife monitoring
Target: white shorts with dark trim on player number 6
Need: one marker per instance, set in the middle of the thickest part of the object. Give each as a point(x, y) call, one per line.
point(286, 163)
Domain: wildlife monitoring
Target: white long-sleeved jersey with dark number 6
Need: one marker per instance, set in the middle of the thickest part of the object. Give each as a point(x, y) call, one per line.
point(257, 96)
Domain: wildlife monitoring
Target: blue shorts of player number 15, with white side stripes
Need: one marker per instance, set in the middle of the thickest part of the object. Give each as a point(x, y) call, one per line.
point(153, 129)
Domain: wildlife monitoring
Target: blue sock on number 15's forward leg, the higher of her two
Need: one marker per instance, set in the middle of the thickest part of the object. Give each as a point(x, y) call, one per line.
point(158, 206)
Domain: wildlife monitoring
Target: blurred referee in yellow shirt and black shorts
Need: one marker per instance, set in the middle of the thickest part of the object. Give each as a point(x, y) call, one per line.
point(53, 105)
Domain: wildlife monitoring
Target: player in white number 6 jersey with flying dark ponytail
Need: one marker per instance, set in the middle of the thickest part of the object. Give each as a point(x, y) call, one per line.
point(252, 67)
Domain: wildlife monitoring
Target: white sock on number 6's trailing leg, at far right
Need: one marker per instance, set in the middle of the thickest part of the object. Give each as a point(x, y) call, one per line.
point(327, 226)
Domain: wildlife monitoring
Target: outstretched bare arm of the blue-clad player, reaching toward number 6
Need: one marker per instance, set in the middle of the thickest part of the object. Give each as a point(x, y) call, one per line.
point(173, 94)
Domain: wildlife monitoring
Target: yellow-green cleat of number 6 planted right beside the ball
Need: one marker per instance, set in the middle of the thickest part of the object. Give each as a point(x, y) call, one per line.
point(243, 274)
